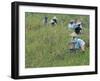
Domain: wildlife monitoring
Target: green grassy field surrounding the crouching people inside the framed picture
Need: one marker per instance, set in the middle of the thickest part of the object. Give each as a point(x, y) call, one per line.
point(47, 46)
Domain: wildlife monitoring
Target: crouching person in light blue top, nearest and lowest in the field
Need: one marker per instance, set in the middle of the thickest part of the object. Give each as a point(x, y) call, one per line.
point(77, 44)
